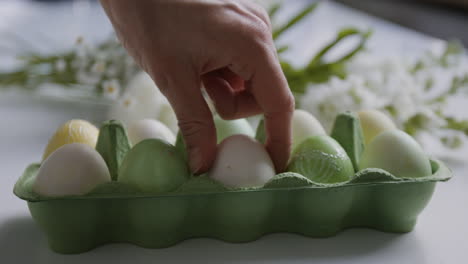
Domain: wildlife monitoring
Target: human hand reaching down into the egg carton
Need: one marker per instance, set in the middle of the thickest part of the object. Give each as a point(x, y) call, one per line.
point(224, 44)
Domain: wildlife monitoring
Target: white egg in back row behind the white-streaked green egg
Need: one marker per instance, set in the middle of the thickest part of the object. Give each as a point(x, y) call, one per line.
point(304, 125)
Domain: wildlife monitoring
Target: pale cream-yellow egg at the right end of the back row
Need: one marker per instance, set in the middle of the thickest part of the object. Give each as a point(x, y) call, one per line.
point(373, 123)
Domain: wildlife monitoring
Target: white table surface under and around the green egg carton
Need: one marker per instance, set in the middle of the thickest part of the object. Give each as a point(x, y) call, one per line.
point(440, 236)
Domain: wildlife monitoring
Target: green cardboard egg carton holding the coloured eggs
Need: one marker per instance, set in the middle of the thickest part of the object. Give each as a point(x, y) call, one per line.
point(118, 213)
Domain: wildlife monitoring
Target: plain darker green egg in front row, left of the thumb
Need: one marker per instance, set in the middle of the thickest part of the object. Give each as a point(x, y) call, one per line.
point(154, 166)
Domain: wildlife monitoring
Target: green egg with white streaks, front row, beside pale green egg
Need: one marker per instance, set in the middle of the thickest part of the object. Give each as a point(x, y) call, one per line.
point(322, 160)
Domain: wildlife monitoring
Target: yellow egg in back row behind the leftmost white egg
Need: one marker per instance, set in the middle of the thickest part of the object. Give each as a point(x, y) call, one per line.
point(73, 131)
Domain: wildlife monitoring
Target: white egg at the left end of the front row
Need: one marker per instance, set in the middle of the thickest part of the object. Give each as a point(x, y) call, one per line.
point(73, 169)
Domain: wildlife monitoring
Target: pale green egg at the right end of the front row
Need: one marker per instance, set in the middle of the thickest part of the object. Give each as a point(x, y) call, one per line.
point(398, 153)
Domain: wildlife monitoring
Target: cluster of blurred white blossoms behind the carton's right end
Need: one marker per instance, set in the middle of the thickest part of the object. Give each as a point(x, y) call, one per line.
point(386, 84)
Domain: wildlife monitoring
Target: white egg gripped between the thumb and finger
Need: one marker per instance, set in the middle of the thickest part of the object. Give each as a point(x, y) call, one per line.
point(242, 162)
